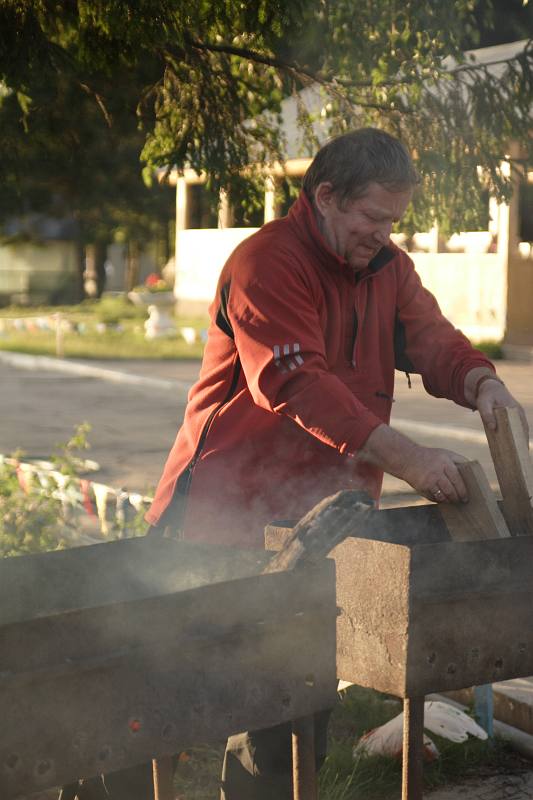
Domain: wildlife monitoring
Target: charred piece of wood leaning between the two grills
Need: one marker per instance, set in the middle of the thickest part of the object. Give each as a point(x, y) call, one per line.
point(322, 529)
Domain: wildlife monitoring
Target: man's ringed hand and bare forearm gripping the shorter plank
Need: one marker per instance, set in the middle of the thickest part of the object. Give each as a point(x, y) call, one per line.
point(431, 471)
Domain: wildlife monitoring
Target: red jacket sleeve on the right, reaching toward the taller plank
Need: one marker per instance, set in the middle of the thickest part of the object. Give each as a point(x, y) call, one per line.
point(438, 351)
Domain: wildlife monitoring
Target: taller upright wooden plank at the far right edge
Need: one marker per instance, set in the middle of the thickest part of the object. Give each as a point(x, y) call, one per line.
point(510, 452)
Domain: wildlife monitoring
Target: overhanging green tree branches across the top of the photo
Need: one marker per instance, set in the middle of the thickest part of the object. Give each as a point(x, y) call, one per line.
point(201, 84)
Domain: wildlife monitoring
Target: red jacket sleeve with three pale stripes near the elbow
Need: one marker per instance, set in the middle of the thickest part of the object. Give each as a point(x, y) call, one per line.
point(275, 318)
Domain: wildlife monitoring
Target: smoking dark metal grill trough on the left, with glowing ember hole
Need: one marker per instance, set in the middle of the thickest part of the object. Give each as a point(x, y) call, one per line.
point(114, 654)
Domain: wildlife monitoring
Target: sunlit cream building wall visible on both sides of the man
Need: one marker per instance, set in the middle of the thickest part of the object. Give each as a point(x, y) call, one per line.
point(471, 289)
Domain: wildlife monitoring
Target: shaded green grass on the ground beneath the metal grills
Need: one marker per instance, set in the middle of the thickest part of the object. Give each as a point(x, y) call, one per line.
point(369, 777)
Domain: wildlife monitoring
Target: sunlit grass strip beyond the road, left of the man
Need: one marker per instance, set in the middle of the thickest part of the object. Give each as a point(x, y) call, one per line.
point(111, 328)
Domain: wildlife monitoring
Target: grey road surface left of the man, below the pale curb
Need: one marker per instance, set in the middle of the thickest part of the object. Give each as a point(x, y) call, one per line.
point(132, 426)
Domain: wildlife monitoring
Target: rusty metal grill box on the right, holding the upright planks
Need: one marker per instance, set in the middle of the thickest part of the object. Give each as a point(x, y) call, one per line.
point(419, 613)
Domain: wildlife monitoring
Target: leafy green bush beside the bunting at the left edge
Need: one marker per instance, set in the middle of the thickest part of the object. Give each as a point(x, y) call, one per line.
point(33, 515)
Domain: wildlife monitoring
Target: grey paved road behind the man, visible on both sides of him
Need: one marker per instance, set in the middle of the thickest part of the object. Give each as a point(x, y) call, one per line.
point(133, 425)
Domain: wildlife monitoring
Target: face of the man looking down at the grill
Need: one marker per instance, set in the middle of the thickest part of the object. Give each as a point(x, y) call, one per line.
point(364, 227)
